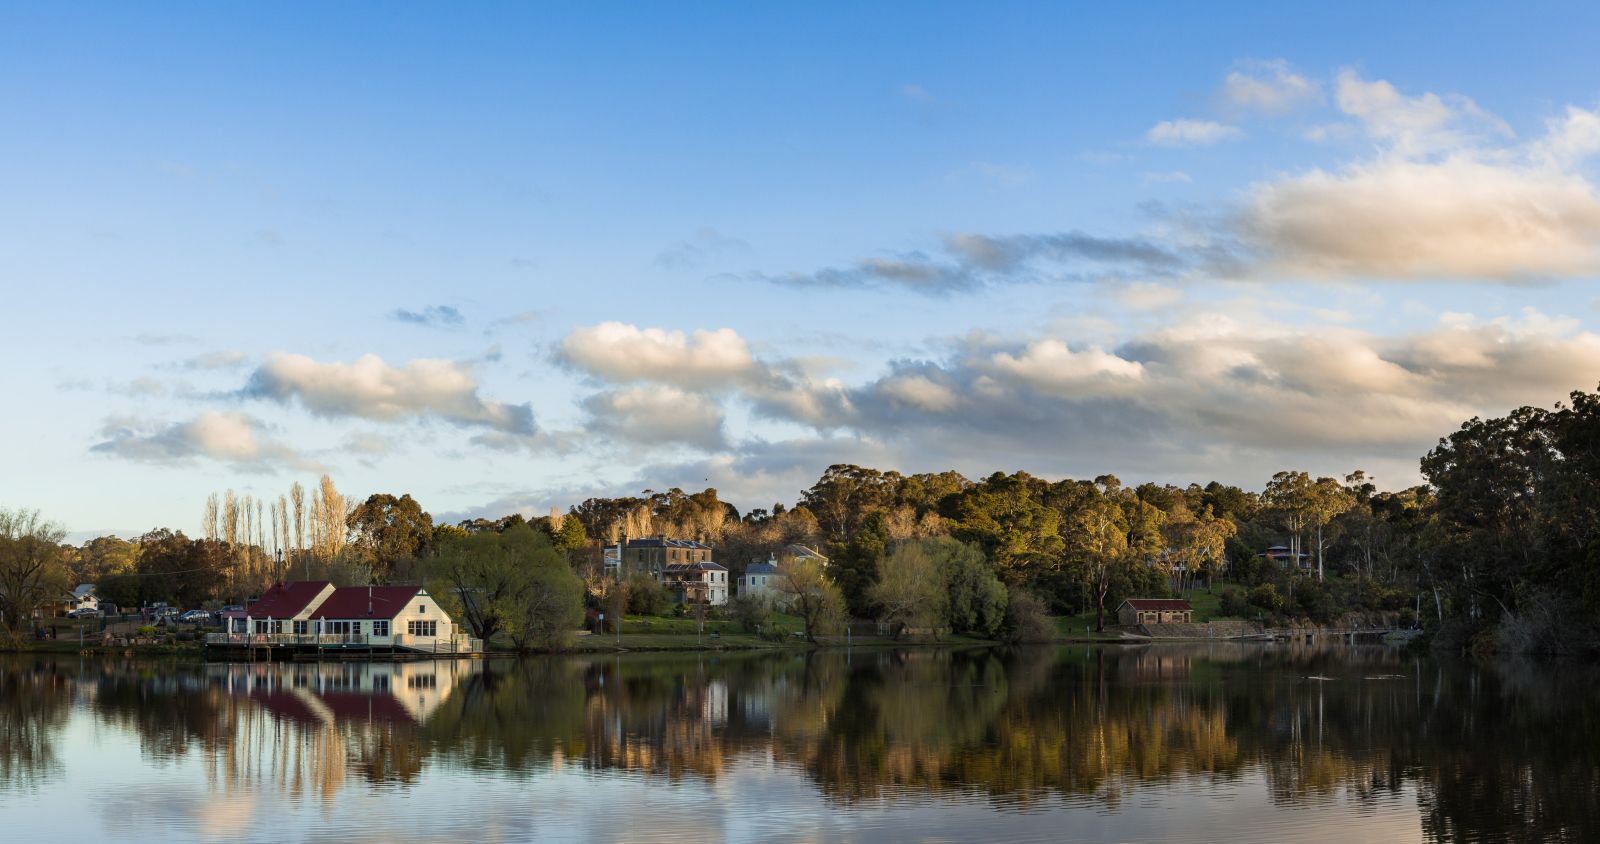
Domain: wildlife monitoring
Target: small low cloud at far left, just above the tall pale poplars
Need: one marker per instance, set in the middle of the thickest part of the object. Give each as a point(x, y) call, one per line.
point(218, 436)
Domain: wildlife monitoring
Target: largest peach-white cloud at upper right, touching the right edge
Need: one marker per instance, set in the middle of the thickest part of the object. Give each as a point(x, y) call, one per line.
point(1447, 196)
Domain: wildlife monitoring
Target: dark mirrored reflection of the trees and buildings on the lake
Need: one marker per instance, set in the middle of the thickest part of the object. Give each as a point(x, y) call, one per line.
point(1449, 752)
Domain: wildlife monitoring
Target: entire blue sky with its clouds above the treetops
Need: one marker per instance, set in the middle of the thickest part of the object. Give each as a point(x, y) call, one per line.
point(513, 257)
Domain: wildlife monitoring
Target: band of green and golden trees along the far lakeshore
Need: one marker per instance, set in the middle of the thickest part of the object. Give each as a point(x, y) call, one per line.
point(1498, 549)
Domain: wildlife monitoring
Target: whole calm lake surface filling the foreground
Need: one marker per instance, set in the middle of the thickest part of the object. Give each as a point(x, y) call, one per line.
point(1185, 744)
